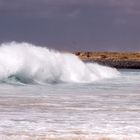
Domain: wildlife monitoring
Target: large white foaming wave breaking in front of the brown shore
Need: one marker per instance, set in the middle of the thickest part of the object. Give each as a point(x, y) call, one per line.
point(34, 64)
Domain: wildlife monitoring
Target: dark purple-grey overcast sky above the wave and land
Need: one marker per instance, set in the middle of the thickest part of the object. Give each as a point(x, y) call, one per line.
point(72, 25)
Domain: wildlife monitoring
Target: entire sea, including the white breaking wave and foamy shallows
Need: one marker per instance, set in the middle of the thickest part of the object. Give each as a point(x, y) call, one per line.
point(47, 95)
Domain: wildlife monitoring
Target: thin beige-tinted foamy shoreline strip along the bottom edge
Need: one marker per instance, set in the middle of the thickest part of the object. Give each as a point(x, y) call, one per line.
point(70, 136)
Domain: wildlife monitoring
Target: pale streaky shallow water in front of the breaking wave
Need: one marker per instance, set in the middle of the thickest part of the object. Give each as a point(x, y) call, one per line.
point(103, 109)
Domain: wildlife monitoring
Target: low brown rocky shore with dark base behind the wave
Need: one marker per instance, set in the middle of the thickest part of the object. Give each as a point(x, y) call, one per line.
point(113, 59)
